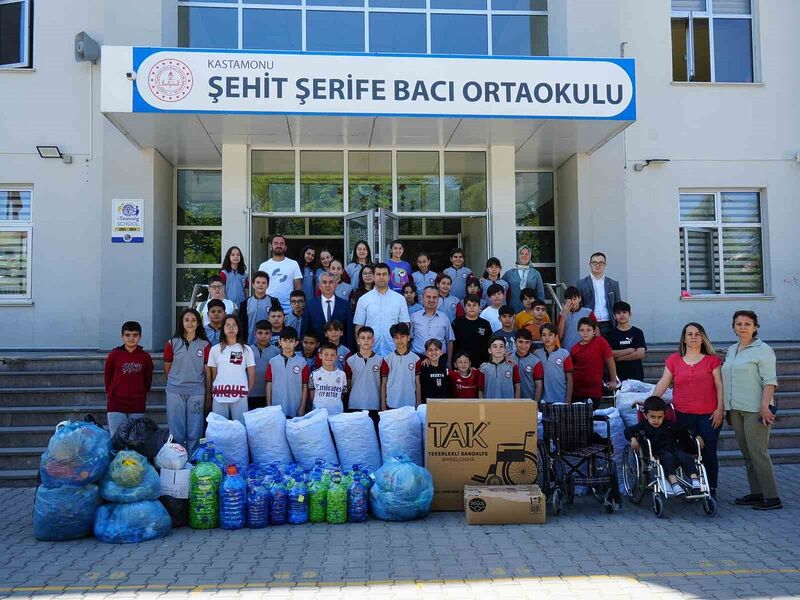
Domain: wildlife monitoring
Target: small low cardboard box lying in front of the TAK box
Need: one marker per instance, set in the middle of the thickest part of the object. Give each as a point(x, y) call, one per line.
point(504, 504)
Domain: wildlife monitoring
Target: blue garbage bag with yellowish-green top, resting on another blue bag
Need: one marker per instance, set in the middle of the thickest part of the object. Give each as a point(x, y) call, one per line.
point(130, 478)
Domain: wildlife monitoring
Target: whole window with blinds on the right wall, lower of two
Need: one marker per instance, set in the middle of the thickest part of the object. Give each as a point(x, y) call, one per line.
point(721, 243)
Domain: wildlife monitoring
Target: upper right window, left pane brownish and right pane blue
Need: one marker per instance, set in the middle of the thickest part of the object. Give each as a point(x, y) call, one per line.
point(712, 40)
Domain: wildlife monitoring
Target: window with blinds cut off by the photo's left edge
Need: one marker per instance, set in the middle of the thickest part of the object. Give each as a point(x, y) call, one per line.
point(15, 243)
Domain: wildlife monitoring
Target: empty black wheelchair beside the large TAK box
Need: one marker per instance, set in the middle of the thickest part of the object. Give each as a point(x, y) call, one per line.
point(571, 454)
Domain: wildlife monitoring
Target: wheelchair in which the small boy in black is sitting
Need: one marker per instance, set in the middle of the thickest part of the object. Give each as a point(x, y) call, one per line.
point(642, 471)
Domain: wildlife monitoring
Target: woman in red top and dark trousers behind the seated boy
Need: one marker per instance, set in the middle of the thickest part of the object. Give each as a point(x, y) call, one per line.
point(694, 372)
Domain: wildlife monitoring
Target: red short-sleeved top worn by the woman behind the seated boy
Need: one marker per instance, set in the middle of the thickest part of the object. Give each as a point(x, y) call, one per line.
point(693, 387)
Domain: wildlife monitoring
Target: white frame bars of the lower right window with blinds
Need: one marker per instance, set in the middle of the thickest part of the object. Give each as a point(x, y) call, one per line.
point(718, 226)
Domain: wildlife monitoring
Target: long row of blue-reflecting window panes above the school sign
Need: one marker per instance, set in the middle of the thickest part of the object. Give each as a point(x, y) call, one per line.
point(501, 28)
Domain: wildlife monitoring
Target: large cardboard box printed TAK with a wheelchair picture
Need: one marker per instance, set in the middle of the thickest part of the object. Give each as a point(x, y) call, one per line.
point(479, 442)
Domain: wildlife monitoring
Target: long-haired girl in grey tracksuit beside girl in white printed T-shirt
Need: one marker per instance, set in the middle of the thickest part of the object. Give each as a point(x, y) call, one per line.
point(185, 356)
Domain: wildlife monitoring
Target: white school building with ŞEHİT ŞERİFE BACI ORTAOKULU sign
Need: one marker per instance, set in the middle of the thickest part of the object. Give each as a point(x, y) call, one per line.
point(139, 140)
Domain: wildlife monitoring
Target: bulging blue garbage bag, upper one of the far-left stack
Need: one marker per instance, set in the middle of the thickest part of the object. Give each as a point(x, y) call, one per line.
point(78, 453)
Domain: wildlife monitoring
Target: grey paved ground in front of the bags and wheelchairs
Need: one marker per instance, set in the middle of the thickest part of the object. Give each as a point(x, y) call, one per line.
point(584, 553)
